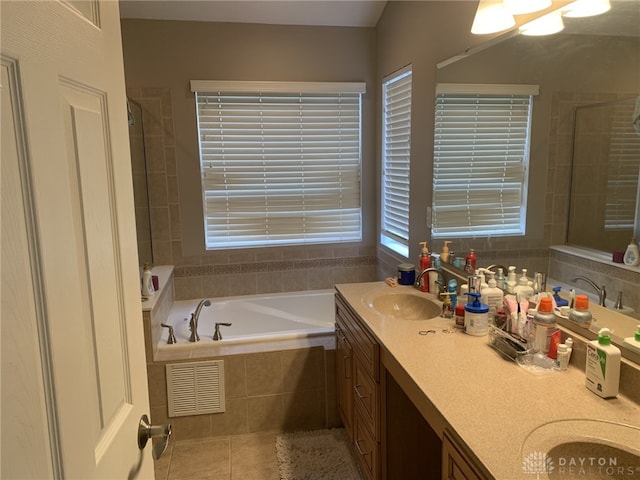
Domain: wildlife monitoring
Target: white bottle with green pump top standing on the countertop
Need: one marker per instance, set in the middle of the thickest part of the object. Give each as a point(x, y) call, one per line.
point(603, 365)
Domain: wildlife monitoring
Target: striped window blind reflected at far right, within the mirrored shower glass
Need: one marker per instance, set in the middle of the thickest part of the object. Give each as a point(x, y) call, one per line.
point(623, 169)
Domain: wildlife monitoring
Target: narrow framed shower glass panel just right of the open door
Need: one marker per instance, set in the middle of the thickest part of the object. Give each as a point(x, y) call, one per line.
point(140, 184)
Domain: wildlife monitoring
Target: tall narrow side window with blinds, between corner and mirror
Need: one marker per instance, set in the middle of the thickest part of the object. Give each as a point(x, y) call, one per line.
point(396, 154)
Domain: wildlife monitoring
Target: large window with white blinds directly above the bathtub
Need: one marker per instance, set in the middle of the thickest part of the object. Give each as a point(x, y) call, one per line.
point(280, 162)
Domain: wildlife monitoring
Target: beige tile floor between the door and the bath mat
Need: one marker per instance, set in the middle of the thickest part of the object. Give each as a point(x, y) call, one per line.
point(235, 457)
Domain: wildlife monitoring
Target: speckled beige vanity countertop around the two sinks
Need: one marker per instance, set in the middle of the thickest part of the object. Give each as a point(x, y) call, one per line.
point(503, 413)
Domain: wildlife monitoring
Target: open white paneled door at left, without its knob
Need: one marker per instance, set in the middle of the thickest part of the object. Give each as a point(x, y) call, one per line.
point(72, 352)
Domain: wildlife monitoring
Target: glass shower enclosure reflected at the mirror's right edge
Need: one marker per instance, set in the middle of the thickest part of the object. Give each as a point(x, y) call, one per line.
point(605, 170)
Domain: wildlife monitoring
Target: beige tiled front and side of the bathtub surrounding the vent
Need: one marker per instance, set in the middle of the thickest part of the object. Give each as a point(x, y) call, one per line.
point(271, 385)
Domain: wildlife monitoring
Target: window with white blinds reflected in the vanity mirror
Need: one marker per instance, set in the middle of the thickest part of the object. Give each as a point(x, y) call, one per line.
point(481, 159)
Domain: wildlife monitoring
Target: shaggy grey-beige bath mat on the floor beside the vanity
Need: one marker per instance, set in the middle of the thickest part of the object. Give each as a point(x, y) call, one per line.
point(316, 455)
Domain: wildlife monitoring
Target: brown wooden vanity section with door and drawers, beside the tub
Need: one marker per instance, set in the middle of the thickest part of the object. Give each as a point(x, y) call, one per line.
point(358, 387)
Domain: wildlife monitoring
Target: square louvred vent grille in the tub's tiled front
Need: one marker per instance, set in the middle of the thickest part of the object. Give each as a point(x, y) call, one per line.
point(195, 388)
